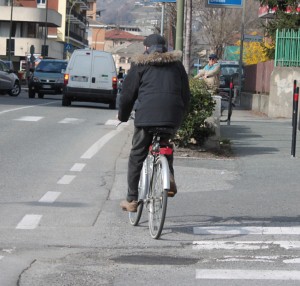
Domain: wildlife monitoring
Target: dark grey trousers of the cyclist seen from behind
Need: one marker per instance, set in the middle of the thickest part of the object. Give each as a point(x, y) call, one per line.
point(141, 142)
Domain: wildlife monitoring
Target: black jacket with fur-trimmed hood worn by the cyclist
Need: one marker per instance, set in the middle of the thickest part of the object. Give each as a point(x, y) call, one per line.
point(157, 85)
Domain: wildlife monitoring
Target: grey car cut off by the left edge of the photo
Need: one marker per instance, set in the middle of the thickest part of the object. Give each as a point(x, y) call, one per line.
point(9, 81)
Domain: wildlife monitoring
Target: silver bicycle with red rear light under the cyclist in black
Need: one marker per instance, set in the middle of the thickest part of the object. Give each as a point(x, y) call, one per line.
point(154, 183)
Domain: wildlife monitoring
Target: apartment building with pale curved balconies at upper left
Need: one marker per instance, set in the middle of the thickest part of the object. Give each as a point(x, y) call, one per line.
point(53, 27)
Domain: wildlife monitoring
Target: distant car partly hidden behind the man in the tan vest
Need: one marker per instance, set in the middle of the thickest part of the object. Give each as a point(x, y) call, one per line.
point(230, 69)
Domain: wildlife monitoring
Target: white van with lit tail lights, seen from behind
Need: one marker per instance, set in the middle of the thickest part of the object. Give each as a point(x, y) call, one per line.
point(90, 76)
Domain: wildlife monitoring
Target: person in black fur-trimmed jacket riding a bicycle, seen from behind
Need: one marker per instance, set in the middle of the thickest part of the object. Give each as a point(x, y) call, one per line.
point(157, 87)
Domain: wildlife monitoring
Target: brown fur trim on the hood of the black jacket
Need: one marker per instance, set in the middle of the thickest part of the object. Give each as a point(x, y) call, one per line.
point(157, 58)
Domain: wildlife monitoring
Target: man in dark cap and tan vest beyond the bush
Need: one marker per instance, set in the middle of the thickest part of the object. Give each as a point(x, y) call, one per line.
point(211, 73)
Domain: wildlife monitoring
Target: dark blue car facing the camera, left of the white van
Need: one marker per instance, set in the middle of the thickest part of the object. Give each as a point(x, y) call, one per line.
point(47, 78)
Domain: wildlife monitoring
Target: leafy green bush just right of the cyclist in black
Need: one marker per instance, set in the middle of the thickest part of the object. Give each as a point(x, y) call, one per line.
point(194, 129)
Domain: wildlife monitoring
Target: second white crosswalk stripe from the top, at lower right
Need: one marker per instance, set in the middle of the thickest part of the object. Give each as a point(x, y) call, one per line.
point(246, 245)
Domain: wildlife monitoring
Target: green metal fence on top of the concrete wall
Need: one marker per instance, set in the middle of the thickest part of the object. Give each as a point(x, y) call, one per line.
point(287, 52)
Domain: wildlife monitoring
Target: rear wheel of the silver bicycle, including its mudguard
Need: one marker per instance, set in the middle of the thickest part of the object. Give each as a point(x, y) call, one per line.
point(158, 199)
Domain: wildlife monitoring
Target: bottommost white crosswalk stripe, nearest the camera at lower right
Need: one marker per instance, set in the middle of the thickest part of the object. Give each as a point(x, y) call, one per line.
point(247, 274)
